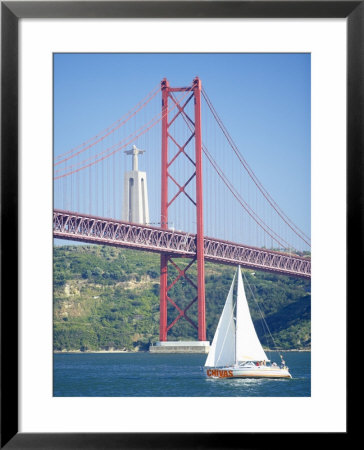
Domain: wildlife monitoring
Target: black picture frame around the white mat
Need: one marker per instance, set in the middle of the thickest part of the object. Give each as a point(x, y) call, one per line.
point(11, 12)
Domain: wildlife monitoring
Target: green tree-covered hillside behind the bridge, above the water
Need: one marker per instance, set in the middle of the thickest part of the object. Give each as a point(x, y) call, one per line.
point(108, 298)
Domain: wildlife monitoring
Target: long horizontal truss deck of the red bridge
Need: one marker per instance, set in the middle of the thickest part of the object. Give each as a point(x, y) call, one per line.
point(99, 230)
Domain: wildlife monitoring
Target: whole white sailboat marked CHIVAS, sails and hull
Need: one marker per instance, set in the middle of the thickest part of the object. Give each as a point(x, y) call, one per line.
point(236, 351)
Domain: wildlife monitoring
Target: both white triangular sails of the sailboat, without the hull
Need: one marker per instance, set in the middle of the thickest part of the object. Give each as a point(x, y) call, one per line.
point(235, 342)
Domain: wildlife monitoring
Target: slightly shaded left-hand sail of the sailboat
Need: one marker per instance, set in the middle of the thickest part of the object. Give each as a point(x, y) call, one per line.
point(222, 350)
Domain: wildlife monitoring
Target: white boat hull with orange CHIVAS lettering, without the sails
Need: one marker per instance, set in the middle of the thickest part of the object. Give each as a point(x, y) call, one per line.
point(249, 372)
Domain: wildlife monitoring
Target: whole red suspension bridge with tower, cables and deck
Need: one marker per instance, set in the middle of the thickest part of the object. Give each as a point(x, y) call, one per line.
point(200, 186)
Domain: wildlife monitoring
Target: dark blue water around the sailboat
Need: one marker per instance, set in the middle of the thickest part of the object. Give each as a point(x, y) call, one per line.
point(170, 375)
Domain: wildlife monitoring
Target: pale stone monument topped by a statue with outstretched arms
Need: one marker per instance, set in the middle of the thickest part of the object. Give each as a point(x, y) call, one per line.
point(135, 205)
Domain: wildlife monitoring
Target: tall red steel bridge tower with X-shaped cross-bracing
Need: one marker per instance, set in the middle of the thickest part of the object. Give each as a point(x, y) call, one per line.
point(194, 127)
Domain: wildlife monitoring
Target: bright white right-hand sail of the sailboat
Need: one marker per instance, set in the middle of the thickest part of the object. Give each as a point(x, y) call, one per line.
point(248, 346)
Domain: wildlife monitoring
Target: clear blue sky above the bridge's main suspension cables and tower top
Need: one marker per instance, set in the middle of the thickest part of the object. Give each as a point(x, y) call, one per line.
point(264, 101)
